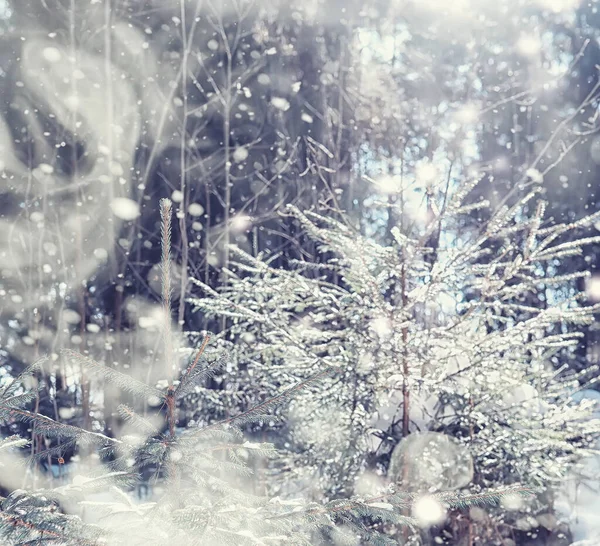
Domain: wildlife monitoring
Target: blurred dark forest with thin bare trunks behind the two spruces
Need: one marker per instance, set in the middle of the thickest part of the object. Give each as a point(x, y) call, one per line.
point(236, 109)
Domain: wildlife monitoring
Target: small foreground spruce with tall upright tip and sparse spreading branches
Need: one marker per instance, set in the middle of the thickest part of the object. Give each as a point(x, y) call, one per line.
point(200, 494)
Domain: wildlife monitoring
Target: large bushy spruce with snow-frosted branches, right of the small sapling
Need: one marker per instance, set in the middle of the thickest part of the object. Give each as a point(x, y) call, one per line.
point(449, 377)
